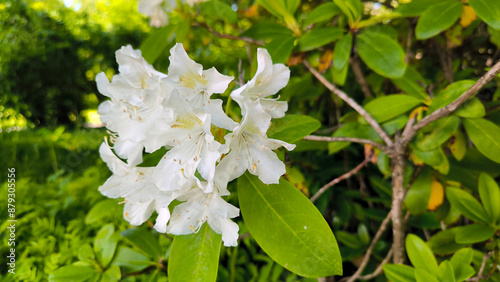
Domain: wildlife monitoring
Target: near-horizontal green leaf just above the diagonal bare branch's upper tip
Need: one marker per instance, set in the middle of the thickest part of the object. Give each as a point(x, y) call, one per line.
point(319, 37)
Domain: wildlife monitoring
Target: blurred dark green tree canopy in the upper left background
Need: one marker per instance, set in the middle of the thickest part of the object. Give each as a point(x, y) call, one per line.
point(50, 54)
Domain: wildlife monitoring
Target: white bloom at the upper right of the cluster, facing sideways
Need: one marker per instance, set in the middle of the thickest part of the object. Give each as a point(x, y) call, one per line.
point(268, 80)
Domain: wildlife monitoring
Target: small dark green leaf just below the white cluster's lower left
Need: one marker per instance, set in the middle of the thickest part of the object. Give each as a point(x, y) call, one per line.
point(144, 240)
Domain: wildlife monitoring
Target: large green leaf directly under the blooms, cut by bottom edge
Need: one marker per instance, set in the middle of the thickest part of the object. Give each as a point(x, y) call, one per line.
point(195, 257)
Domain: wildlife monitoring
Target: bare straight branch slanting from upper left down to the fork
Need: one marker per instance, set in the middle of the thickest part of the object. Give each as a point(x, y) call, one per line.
point(342, 95)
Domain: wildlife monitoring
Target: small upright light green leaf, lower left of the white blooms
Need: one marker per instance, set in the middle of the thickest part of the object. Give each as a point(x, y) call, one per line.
point(105, 244)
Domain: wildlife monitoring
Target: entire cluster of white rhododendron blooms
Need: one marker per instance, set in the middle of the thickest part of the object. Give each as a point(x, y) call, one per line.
point(149, 110)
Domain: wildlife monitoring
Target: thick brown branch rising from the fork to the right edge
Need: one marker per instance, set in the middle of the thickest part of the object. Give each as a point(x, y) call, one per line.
point(442, 112)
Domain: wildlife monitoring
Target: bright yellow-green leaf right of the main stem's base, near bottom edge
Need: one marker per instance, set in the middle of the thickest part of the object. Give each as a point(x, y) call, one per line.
point(420, 254)
